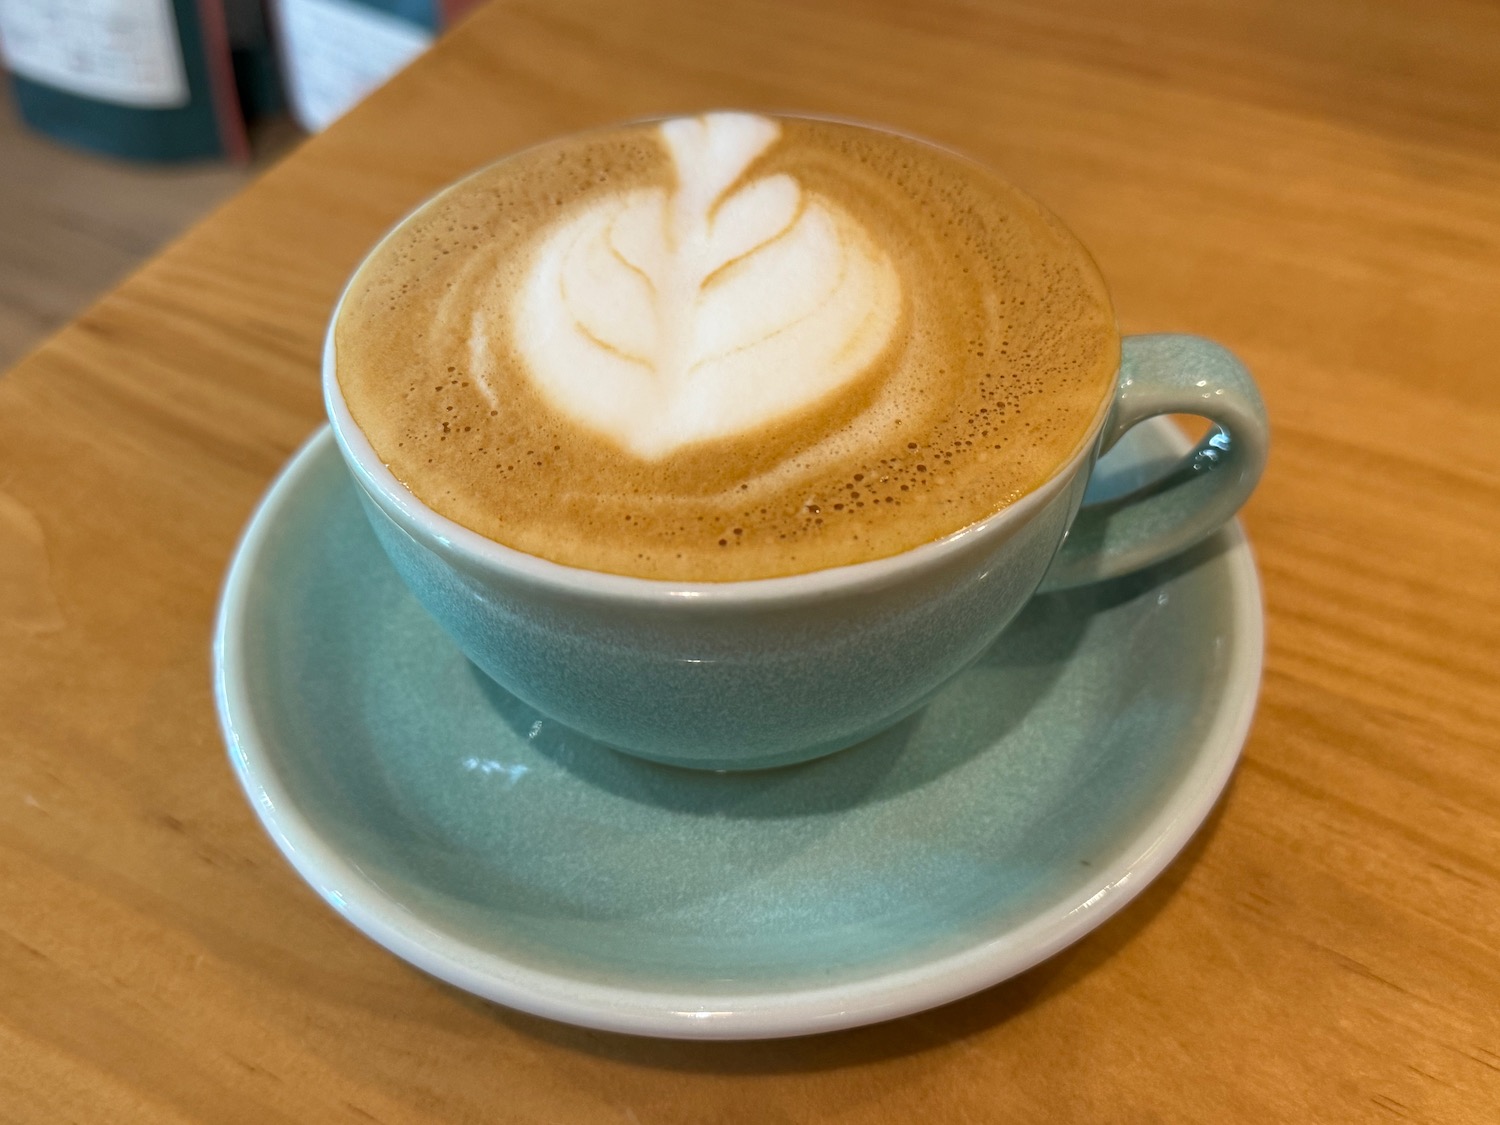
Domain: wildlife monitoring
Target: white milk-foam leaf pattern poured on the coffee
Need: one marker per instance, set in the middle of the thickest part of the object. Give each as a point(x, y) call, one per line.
point(664, 319)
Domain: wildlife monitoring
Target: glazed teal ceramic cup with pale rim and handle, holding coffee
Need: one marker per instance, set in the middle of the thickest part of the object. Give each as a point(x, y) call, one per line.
point(767, 673)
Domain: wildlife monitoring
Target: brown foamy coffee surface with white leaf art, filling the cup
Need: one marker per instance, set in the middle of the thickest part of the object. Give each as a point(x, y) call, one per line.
point(727, 347)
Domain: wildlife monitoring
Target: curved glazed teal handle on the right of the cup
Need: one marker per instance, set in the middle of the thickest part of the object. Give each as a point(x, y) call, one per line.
point(1171, 374)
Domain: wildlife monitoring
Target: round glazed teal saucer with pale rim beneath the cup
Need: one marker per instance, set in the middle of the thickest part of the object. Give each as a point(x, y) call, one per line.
point(515, 859)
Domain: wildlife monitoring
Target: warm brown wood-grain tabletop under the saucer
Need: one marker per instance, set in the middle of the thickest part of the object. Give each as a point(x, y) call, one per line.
point(1313, 182)
